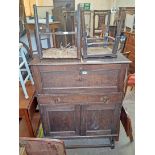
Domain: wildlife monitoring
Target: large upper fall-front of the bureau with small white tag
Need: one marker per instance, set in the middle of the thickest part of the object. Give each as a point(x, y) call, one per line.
point(80, 76)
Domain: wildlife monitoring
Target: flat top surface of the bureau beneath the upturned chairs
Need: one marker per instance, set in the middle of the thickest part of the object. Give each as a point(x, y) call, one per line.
point(120, 59)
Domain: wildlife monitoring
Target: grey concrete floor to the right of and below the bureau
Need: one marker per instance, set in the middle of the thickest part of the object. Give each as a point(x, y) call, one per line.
point(123, 146)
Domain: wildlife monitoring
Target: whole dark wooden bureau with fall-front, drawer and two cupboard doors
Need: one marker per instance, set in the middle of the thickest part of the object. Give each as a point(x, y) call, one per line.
point(81, 98)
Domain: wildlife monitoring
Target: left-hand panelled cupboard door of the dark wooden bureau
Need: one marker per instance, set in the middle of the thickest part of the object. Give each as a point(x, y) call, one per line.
point(60, 120)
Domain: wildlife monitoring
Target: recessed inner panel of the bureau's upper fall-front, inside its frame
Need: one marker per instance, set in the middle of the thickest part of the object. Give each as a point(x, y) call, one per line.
point(76, 79)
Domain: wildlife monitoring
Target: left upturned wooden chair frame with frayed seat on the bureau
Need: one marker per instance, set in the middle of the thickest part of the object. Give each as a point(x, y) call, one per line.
point(62, 49)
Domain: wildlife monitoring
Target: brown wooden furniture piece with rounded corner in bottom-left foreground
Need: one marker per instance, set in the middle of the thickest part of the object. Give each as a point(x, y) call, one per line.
point(43, 146)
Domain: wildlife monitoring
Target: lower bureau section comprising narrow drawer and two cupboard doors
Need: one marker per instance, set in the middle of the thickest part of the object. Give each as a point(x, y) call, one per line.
point(61, 120)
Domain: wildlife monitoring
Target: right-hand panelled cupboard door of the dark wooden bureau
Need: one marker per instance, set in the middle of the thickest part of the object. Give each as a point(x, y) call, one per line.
point(97, 119)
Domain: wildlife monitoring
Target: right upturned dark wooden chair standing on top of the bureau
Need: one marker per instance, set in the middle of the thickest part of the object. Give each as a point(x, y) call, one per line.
point(106, 46)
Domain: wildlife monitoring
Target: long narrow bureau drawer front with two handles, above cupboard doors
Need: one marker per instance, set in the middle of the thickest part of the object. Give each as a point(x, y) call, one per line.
point(80, 98)
